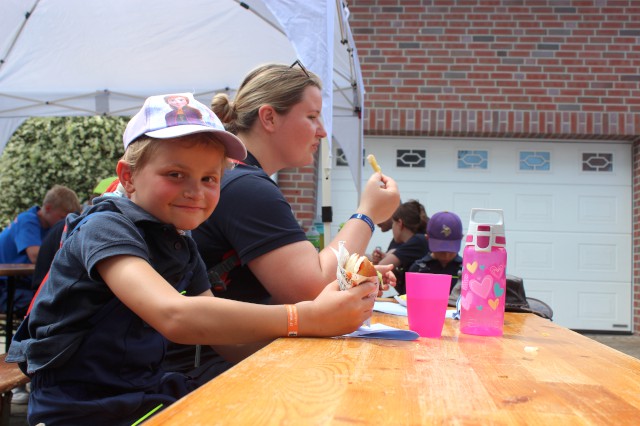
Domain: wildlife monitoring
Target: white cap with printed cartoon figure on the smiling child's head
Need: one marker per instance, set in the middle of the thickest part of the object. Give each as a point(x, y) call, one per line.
point(180, 114)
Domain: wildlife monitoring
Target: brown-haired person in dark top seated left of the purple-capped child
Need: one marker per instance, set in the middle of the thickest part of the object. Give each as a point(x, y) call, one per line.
point(409, 229)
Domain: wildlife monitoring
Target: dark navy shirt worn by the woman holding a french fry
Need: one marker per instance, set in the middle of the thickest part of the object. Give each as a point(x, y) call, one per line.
point(252, 219)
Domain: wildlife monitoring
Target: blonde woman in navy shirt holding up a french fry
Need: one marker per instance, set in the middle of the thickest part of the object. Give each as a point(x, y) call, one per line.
point(253, 241)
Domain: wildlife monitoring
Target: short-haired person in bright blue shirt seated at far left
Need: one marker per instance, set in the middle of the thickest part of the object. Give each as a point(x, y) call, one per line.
point(20, 241)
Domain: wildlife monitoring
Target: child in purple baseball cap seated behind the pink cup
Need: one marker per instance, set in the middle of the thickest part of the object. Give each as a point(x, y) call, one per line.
point(445, 237)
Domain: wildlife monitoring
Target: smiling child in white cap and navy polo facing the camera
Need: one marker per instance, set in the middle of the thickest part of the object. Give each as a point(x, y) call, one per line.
point(122, 283)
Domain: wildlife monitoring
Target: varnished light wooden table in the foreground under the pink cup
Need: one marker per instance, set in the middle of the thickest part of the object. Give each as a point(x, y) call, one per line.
point(537, 373)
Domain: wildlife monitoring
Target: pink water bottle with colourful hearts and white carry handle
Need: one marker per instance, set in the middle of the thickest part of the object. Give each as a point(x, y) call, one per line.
point(484, 283)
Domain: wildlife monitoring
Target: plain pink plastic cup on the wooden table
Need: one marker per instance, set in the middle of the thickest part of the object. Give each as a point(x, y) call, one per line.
point(427, 300)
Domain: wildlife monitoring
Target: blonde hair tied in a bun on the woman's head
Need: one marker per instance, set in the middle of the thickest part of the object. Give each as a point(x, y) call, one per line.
point(277, 85)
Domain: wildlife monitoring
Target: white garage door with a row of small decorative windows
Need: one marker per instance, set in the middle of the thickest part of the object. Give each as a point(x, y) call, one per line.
point(567, 208)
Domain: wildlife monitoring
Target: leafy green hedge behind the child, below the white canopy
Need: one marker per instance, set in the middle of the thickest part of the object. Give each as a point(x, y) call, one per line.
point(73, 151)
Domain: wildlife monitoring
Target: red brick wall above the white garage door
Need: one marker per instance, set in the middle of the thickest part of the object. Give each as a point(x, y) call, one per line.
point(552, 69)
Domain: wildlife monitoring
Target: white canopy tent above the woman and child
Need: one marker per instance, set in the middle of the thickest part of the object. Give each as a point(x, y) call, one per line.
point(95, 57)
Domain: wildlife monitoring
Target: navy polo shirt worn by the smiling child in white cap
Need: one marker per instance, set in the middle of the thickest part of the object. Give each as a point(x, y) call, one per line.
point(66, 307)
